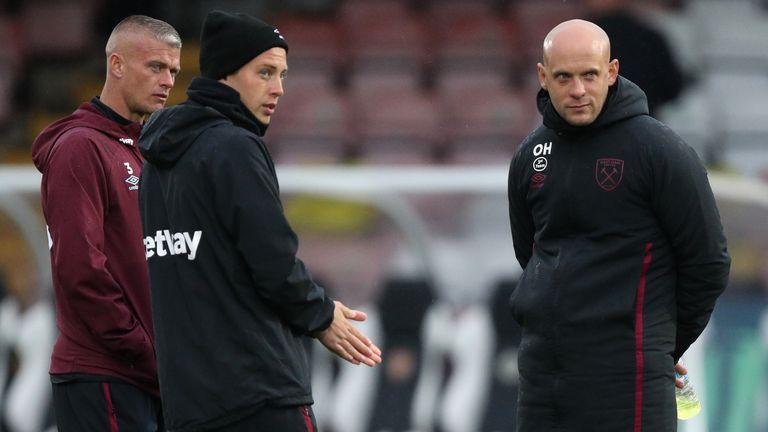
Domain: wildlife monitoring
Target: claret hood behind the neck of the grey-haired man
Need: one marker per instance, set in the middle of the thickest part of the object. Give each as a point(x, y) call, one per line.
point(86, 115)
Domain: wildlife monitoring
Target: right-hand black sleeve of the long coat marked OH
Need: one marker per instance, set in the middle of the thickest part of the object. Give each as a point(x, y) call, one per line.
point(686, 208)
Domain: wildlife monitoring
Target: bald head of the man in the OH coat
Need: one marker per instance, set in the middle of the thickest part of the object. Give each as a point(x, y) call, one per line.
point(576, 70)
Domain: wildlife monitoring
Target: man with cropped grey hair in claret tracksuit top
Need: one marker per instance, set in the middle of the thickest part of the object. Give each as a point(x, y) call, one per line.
point(103, 366)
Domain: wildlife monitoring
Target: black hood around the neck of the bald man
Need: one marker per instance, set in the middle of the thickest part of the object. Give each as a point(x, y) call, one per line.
point(624, 100)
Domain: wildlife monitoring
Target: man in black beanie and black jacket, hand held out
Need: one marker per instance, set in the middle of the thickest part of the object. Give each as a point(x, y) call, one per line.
point(233, 305)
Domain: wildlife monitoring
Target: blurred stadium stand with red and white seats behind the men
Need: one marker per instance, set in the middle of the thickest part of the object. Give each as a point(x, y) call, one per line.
point(393, 141)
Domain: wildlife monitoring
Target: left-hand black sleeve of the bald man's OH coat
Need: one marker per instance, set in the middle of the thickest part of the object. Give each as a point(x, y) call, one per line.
point(520, 217)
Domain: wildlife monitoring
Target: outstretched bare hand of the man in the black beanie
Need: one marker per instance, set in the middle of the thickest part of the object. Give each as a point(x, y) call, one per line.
point(346, 341)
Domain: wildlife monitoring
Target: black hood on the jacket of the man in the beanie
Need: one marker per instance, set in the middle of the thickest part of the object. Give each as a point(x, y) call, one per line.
point(170, 131)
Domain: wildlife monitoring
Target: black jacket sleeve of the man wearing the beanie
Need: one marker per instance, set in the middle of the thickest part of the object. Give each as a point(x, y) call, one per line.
point(248, 204)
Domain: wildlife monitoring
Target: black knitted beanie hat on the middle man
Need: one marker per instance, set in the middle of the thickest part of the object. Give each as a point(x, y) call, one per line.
point(230, 40)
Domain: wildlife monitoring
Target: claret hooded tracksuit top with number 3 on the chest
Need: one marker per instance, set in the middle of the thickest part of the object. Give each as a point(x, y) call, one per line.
point(91, 166)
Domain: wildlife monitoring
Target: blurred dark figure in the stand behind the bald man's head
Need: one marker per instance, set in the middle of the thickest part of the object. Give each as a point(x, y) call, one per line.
point(644, 52)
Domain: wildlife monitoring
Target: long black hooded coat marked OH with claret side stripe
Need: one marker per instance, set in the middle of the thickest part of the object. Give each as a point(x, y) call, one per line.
point(616, 228)
